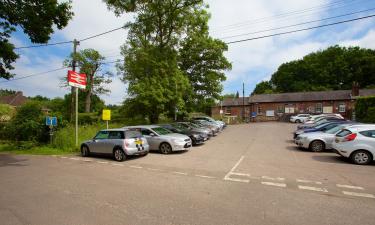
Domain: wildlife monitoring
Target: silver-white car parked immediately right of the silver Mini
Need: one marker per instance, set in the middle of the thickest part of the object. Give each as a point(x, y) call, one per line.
point(163, 140)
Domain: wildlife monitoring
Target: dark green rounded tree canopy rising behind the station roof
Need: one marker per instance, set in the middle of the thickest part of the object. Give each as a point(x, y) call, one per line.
point(332, 69)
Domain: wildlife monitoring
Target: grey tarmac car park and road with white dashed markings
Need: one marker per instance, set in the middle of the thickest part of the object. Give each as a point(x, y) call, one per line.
point(248, 174)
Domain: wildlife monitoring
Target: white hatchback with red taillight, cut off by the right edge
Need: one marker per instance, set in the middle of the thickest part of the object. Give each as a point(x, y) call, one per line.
point(356, 143)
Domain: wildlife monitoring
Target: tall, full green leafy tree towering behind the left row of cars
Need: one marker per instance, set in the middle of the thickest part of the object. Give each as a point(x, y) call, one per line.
point(158, 79)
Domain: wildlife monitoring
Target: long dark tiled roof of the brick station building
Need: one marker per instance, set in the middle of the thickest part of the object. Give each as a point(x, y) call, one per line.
point(309, 96)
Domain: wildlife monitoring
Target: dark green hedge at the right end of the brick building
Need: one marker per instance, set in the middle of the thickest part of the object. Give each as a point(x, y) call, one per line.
point(365, 109)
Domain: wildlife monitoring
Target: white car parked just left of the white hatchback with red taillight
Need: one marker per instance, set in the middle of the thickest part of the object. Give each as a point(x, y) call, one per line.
point(321, 140)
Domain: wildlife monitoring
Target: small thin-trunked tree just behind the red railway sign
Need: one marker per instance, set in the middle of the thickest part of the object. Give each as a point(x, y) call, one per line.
point(90, 63)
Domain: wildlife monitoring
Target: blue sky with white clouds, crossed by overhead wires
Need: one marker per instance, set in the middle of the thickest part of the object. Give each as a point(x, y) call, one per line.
point(252, 61)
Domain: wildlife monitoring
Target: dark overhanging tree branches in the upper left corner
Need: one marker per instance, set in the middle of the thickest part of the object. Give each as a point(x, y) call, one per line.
point(37, 19)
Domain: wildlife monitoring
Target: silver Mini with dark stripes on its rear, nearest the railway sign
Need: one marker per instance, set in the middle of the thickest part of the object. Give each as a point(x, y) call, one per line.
point(117, 142)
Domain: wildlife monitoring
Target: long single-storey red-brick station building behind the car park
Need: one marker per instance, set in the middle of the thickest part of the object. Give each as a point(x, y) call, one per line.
point(265, 107)
